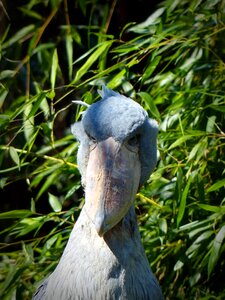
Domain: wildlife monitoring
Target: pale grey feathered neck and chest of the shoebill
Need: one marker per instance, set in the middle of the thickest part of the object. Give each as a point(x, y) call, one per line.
point(113, 268)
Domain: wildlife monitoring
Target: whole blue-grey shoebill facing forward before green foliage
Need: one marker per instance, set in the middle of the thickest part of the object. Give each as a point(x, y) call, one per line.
point(104, 258)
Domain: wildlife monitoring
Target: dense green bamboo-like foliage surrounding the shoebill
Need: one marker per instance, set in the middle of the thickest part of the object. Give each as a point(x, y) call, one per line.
point(173, 65)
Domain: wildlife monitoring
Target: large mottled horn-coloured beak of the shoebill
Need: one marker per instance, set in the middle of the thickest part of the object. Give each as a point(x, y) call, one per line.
point(112, 180)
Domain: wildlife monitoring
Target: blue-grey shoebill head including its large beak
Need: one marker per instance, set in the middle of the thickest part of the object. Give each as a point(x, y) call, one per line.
point(117, 154)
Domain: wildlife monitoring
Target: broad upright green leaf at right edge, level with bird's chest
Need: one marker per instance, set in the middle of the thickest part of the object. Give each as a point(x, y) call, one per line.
point(215, 251)
